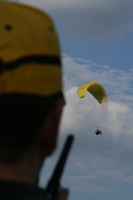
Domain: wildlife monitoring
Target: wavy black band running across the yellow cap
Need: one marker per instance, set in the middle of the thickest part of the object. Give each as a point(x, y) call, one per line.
point(51, 60)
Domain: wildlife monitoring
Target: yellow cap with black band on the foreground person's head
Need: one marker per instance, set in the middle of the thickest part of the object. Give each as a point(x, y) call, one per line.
point(30, 60)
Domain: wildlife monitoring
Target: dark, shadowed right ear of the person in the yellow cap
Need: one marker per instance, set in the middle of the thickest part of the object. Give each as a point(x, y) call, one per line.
point(49, 134)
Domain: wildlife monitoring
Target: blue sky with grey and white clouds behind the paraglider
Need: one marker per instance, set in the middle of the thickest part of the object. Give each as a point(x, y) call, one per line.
point(96, 39)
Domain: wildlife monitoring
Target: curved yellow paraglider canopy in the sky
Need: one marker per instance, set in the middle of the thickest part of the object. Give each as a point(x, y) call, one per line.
point(96, 90)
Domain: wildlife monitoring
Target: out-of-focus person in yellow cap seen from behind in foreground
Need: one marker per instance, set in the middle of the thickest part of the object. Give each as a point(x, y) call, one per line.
point(31, 99)
